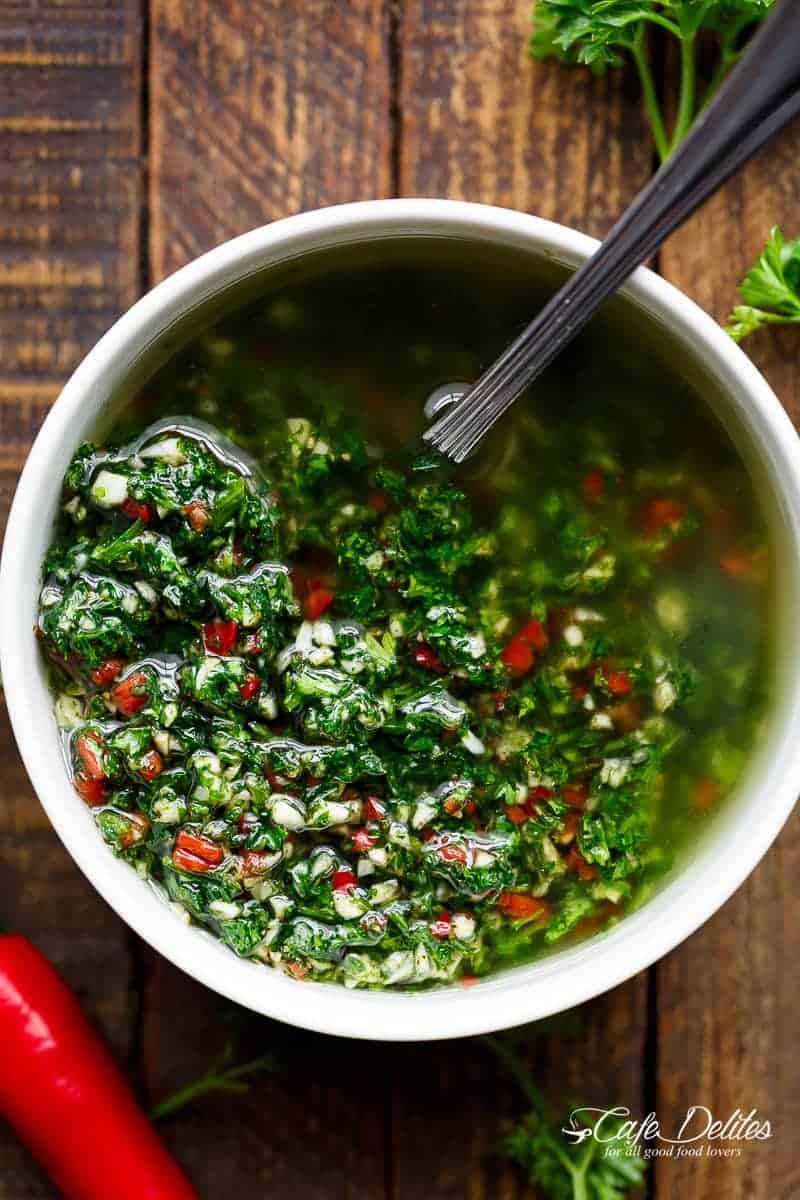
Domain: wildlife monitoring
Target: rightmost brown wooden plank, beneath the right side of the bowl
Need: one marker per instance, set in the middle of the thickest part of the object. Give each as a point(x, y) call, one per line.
point(727, 999)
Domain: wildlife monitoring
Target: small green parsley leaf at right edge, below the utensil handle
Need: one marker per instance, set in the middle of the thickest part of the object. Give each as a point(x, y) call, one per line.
point(771, 290)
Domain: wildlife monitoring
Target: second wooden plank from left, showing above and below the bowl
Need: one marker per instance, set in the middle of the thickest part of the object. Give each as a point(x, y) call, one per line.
point(258, 111)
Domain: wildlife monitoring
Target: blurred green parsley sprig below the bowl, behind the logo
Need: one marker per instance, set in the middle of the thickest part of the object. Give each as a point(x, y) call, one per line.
point(579, 1169)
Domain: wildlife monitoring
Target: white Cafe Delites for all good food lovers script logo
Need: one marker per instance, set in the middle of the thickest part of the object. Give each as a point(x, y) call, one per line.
point(700, 1135)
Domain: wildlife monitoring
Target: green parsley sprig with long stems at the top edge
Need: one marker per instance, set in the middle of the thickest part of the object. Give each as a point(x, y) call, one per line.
point(603, 34)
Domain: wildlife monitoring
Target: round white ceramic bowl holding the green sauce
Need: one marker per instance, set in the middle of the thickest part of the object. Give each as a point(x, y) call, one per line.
point(735, 842)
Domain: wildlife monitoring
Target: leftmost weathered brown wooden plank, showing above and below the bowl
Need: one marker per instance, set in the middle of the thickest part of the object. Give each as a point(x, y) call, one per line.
point(70, 145)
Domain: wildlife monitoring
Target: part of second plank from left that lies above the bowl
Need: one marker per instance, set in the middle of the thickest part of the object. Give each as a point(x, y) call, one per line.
point(261, 110)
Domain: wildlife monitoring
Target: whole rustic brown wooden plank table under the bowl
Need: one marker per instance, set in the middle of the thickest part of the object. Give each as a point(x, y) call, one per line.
point(135, 136)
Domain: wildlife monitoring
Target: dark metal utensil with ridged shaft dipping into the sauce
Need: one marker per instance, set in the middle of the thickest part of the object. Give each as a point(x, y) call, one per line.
point(761, 95)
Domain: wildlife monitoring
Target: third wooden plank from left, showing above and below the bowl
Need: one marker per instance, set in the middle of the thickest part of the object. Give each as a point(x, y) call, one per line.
point(479, 121)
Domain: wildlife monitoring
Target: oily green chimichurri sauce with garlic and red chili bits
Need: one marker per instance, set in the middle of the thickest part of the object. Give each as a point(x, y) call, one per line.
point(374, 728)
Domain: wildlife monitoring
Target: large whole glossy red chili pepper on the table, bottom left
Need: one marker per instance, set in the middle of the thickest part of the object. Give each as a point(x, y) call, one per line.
point(64, 1095)
